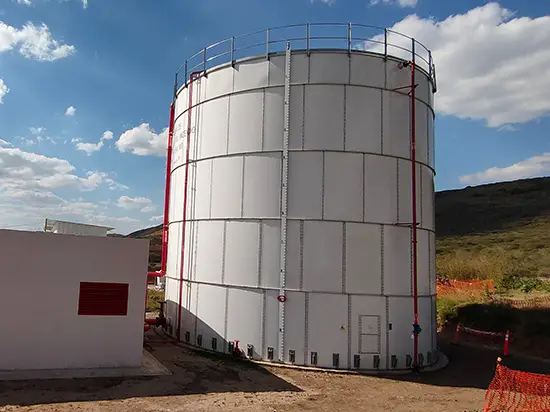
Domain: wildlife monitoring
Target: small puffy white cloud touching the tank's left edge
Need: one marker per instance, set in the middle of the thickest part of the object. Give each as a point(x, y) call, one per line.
point(143, 141)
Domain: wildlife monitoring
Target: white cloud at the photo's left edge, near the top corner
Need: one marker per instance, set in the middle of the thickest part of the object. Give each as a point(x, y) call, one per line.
point(33, 42)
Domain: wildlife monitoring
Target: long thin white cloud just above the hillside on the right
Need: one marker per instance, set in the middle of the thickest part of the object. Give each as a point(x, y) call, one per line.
point(535, 166)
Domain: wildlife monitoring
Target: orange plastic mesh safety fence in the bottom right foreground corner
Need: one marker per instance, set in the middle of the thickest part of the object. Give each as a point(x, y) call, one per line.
point(518, 391)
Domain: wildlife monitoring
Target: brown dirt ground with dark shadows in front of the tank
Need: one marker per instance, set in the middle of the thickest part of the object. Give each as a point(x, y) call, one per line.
point(207, 382)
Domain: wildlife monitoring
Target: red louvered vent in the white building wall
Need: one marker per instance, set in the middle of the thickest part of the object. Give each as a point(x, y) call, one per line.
point(103, 299)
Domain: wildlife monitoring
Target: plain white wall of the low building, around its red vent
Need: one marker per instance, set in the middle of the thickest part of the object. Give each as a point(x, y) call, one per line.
point(40, 278)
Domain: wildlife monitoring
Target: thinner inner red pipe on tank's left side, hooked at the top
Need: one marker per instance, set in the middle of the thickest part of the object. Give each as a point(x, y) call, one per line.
point(192, 78)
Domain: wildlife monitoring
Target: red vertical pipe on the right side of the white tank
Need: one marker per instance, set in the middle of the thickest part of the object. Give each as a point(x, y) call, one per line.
point(414, 217)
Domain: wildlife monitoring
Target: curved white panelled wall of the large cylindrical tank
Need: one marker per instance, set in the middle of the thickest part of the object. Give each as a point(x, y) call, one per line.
point(349, 267)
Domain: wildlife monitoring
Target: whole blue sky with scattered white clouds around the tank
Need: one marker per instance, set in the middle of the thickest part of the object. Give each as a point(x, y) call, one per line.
point(85, 89)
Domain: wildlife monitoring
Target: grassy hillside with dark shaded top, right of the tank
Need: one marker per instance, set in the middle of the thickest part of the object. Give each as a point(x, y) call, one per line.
point(494, 231)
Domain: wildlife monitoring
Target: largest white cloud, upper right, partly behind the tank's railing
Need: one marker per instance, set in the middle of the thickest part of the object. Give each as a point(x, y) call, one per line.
point(490, 66)
